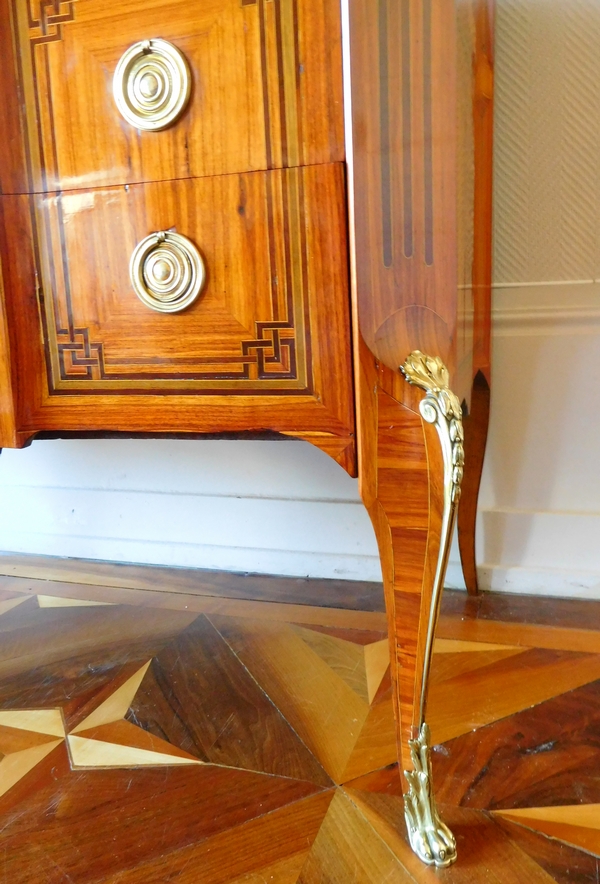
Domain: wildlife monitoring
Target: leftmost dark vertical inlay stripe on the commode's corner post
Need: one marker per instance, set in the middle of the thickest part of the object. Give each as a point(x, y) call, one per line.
point(384, 126)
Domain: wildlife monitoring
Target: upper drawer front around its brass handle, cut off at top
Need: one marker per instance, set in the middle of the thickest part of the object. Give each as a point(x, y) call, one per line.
point(265, 79)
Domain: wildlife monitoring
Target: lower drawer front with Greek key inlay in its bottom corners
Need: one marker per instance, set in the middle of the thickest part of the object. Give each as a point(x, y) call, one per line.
point(270, 326)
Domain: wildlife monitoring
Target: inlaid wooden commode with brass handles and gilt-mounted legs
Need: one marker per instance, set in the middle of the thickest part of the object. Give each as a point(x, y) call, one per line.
point(247, 215)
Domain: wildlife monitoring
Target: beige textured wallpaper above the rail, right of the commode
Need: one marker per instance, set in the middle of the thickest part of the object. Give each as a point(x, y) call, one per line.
point(547, 198)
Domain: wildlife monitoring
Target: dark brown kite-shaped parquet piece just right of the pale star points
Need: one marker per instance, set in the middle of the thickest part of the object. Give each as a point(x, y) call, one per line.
point(199, 697)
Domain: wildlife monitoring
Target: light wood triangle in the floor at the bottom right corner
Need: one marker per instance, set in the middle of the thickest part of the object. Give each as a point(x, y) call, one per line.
point(576, 824)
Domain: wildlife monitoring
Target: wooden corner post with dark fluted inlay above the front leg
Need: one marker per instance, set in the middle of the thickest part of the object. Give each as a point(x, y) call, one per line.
point(403, 161)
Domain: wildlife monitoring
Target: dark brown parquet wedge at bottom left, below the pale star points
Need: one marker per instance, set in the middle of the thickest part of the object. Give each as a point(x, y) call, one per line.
point(122, 805)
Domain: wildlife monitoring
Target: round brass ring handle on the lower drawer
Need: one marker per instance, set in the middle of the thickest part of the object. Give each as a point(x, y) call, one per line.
point(167, 272)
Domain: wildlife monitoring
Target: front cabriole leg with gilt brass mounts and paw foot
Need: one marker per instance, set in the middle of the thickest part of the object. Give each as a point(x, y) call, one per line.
point(412, 496)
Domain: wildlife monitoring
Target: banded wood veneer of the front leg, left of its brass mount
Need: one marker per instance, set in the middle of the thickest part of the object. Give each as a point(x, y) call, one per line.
point(401, 485)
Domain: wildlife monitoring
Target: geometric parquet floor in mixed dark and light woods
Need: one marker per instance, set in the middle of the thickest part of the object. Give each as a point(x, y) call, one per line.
point(156, 732)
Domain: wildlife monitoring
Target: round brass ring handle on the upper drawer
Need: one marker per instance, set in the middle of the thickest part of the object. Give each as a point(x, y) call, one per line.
point(152, 84)
